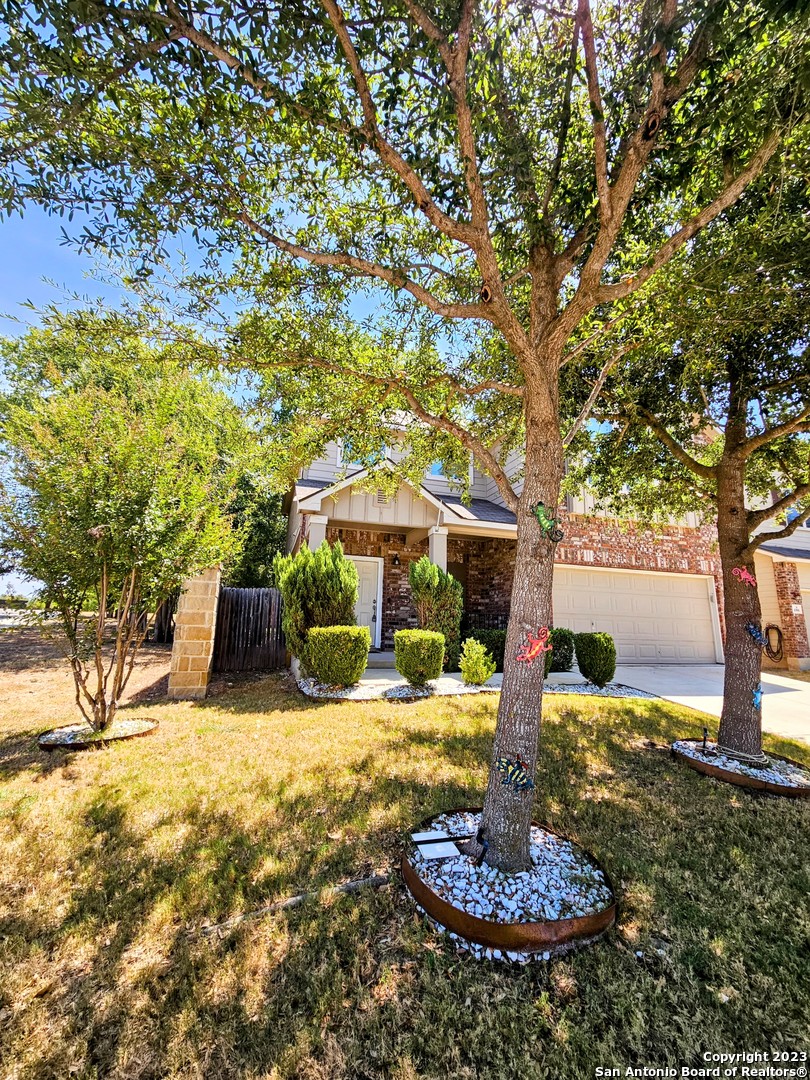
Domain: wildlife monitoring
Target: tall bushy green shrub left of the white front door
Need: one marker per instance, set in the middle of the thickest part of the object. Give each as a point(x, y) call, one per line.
point(318, 589)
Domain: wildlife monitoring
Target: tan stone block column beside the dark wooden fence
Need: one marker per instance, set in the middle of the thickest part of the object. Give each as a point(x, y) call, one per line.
point(193, 652)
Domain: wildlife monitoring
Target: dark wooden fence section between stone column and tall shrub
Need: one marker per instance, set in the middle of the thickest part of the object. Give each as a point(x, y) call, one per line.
point(249, 634)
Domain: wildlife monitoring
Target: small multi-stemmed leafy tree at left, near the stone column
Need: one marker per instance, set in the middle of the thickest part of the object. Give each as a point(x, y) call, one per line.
point(117, 471)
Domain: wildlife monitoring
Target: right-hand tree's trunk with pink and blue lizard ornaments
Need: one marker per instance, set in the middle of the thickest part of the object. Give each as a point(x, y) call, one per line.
point(741, 724)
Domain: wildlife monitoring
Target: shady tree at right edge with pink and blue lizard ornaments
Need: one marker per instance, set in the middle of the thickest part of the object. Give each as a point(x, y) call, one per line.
point(709, 410)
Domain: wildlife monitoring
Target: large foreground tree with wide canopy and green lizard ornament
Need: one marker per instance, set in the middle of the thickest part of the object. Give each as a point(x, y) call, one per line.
point(511, 170)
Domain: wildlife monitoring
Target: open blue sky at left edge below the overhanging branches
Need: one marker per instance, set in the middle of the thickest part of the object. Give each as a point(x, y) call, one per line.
point(31, 251)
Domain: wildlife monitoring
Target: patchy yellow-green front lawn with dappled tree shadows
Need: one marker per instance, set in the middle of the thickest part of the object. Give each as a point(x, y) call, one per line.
point(112, 859)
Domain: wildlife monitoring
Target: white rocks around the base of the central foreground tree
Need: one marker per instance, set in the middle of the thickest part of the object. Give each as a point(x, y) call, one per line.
point(563, 884)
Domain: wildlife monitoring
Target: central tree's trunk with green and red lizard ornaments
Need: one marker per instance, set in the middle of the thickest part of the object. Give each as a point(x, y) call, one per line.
point(508, 811)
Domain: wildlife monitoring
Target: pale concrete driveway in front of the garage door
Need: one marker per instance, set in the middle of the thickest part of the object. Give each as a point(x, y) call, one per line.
point(786, 701)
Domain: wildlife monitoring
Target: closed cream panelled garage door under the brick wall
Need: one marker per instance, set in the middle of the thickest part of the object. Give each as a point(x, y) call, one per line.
point(654, 618)
